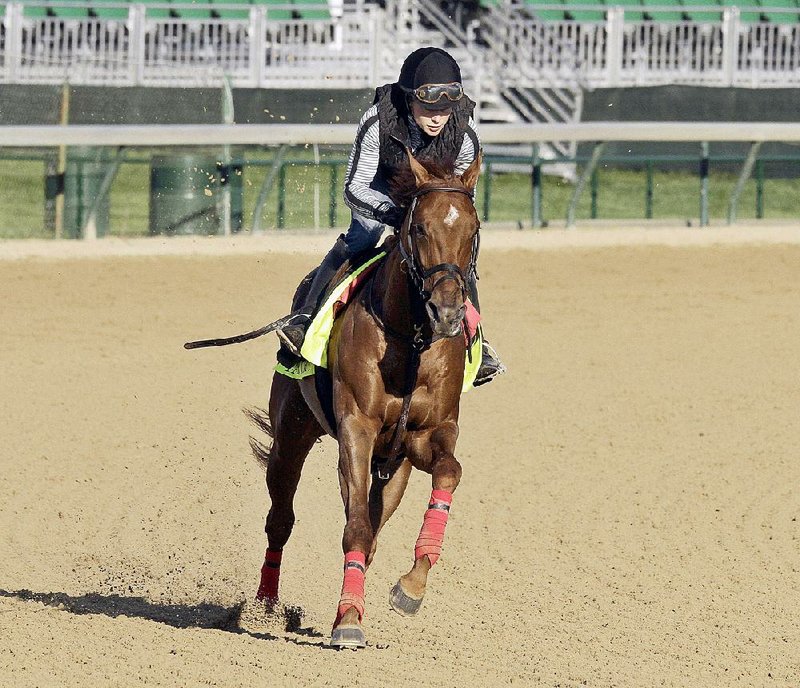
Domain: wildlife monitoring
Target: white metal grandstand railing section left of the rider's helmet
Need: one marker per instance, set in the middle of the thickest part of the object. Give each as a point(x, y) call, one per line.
point(150, 48)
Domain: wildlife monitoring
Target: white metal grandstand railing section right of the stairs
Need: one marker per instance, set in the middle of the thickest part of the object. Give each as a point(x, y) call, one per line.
point(626, 49)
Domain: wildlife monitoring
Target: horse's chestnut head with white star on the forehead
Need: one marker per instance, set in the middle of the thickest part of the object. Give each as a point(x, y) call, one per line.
point(439, 242)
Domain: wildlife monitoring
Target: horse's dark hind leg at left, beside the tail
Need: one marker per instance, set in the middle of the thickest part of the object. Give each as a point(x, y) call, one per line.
point(294, 430)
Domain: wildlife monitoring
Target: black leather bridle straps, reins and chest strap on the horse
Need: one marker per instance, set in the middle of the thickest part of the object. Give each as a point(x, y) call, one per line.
point(418, 274)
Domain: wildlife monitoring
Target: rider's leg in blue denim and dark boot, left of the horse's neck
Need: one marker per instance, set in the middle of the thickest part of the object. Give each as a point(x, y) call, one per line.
point(362, 234)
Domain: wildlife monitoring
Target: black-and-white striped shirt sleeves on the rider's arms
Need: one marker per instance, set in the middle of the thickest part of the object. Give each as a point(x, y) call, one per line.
point(362, 167)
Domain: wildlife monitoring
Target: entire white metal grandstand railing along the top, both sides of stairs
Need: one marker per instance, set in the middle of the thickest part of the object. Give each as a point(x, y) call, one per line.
point(147, 47)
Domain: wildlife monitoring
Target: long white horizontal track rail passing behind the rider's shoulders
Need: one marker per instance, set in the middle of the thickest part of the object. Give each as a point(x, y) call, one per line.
point(273, 134)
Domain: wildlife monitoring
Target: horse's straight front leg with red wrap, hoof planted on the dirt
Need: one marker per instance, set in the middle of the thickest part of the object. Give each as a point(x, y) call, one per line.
point(357, 435)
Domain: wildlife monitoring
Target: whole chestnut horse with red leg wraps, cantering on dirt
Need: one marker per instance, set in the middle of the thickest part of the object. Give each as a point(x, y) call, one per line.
point(396, 361)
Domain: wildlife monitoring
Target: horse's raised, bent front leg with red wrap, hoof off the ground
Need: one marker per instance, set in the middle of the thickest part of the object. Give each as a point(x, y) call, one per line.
point(433, 453)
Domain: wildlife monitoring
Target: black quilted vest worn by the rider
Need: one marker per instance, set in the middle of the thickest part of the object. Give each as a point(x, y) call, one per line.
point(394, 135)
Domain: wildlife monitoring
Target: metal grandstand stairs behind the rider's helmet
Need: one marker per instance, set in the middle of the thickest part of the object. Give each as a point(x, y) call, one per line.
point(504, 92)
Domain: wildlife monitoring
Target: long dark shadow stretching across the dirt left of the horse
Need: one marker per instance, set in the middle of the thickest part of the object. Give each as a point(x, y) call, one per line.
point(204, 615)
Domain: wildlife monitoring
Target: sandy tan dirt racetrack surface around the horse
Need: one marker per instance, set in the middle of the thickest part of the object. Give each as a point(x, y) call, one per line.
point(628, 514)
